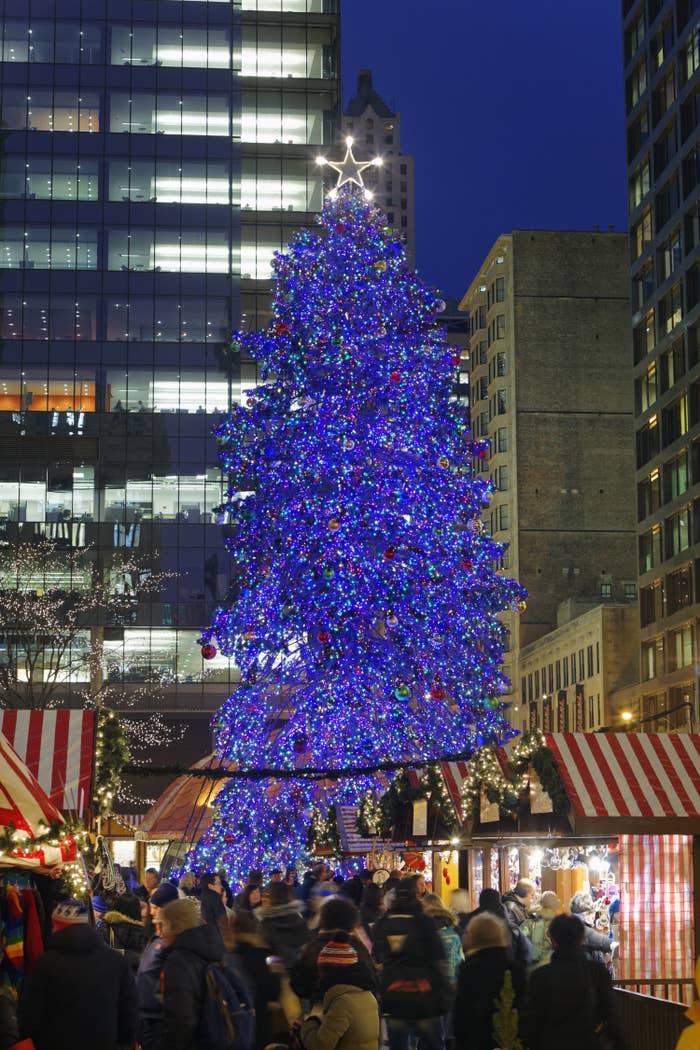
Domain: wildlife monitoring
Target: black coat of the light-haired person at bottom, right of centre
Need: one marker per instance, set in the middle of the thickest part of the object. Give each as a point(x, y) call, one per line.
point(479, 983)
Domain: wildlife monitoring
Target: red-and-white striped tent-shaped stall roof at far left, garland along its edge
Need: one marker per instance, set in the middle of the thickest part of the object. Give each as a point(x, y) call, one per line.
point(26, 807)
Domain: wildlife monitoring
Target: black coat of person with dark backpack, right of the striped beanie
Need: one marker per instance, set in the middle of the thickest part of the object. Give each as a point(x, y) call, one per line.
point(411, 951)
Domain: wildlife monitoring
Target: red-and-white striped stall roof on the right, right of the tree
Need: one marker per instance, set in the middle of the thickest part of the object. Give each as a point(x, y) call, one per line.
point(632, 775)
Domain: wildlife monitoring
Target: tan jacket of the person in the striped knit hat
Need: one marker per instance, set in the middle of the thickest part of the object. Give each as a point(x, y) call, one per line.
point(350, 1022)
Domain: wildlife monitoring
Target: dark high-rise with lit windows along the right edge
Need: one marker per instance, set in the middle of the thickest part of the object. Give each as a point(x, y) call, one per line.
point(663, 102)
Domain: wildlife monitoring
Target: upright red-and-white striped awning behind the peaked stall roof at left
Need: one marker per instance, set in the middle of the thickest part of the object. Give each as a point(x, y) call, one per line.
point(59, 750)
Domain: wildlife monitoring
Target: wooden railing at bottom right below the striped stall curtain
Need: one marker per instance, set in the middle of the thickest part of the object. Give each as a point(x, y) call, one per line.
point(653, 1012)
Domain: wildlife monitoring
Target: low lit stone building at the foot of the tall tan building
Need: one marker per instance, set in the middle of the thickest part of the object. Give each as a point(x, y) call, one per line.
point(569, 676)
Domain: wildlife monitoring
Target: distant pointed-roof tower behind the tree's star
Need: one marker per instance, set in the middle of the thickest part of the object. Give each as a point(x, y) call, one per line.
point(376, 132)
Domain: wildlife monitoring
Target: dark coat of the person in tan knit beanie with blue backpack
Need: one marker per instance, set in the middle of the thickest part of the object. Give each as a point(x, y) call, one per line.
point(184, 984)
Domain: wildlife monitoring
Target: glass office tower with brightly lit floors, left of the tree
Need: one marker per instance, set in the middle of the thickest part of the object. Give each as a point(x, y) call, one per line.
point(155, 155)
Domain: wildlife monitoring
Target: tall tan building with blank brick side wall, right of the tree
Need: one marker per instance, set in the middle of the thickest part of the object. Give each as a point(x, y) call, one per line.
point(549, 391)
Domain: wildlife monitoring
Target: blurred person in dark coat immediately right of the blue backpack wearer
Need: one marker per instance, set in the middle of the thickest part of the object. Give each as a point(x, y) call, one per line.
point(247, 955)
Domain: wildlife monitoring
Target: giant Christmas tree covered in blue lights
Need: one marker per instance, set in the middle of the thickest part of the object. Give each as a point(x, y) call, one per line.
point(366, 623)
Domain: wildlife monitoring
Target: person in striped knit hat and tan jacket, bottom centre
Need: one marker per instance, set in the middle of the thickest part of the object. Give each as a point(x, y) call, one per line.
point(349, 1018)
